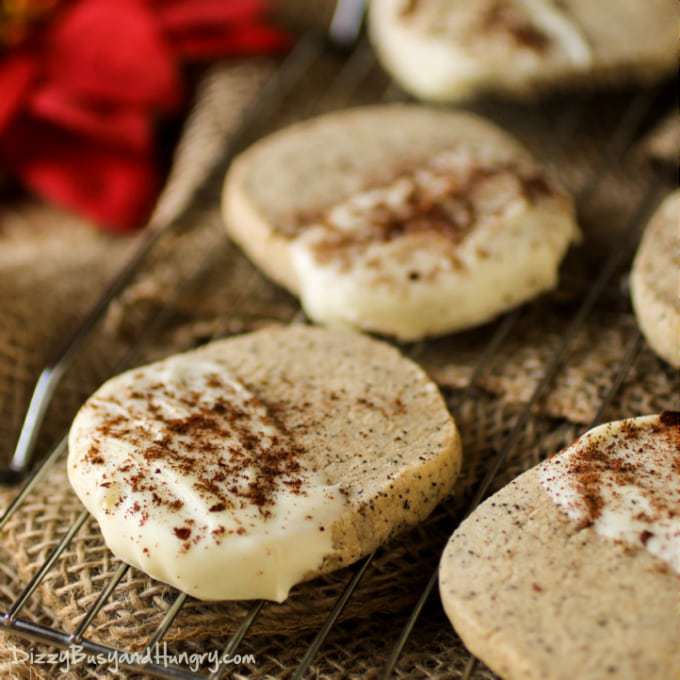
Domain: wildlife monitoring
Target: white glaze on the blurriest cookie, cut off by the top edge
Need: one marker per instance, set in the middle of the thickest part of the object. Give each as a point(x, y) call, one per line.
point(442, 50)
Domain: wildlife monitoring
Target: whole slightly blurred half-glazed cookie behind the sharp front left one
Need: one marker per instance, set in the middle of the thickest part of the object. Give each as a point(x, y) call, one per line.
point(402, 220)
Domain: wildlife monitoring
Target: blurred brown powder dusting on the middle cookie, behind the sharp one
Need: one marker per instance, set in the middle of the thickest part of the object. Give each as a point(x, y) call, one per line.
point(443, 198)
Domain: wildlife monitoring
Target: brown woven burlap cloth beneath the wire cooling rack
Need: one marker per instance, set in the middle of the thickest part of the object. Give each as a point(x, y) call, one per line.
point(197, 286)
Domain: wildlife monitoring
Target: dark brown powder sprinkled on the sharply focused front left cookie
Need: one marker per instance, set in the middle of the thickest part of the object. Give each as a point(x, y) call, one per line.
point(235, 453)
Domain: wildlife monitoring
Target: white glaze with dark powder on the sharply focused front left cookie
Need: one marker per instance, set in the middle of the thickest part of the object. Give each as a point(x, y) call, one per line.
point(193, 481)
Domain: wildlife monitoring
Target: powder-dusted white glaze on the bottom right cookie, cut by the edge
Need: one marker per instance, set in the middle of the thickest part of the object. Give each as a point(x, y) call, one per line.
point(623, 479)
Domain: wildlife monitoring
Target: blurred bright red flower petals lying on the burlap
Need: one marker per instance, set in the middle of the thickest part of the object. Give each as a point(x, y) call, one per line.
point(80, 96)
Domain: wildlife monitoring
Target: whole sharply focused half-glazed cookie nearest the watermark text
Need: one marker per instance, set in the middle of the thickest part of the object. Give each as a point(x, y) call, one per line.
point(239, 469)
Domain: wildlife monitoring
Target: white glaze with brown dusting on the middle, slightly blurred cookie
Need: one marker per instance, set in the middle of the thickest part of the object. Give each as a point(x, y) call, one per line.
point(446, 245)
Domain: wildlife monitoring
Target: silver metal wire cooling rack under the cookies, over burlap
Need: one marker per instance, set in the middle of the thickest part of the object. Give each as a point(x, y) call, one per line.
point(356, 78)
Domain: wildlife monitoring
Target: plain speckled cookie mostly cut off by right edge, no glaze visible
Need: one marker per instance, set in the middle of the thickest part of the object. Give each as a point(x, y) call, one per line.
point(655, 281)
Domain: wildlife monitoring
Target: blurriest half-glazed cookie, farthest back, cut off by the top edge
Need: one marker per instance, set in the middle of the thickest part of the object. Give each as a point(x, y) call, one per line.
point(443, 50)
